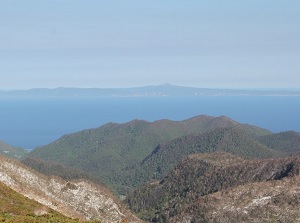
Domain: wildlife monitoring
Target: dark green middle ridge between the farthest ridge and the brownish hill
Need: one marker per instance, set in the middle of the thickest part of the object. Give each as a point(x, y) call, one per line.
point(233, 140)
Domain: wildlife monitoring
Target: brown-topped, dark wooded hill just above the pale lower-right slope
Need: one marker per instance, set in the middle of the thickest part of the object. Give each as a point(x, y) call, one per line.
point(203, 174)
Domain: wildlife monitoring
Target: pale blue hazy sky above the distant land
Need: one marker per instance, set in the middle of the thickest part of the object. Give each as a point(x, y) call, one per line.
point(123, 43)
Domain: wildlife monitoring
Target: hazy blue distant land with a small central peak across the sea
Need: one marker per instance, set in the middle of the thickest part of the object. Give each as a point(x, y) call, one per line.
point(146, 91)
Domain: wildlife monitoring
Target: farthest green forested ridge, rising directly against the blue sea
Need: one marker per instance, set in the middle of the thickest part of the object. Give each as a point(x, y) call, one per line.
point(110, 150)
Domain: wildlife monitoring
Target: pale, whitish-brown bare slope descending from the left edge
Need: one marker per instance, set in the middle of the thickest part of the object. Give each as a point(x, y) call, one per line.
point(77, 199)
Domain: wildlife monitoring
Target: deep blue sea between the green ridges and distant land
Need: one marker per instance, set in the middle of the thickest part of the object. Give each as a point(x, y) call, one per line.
point(32, 122)
